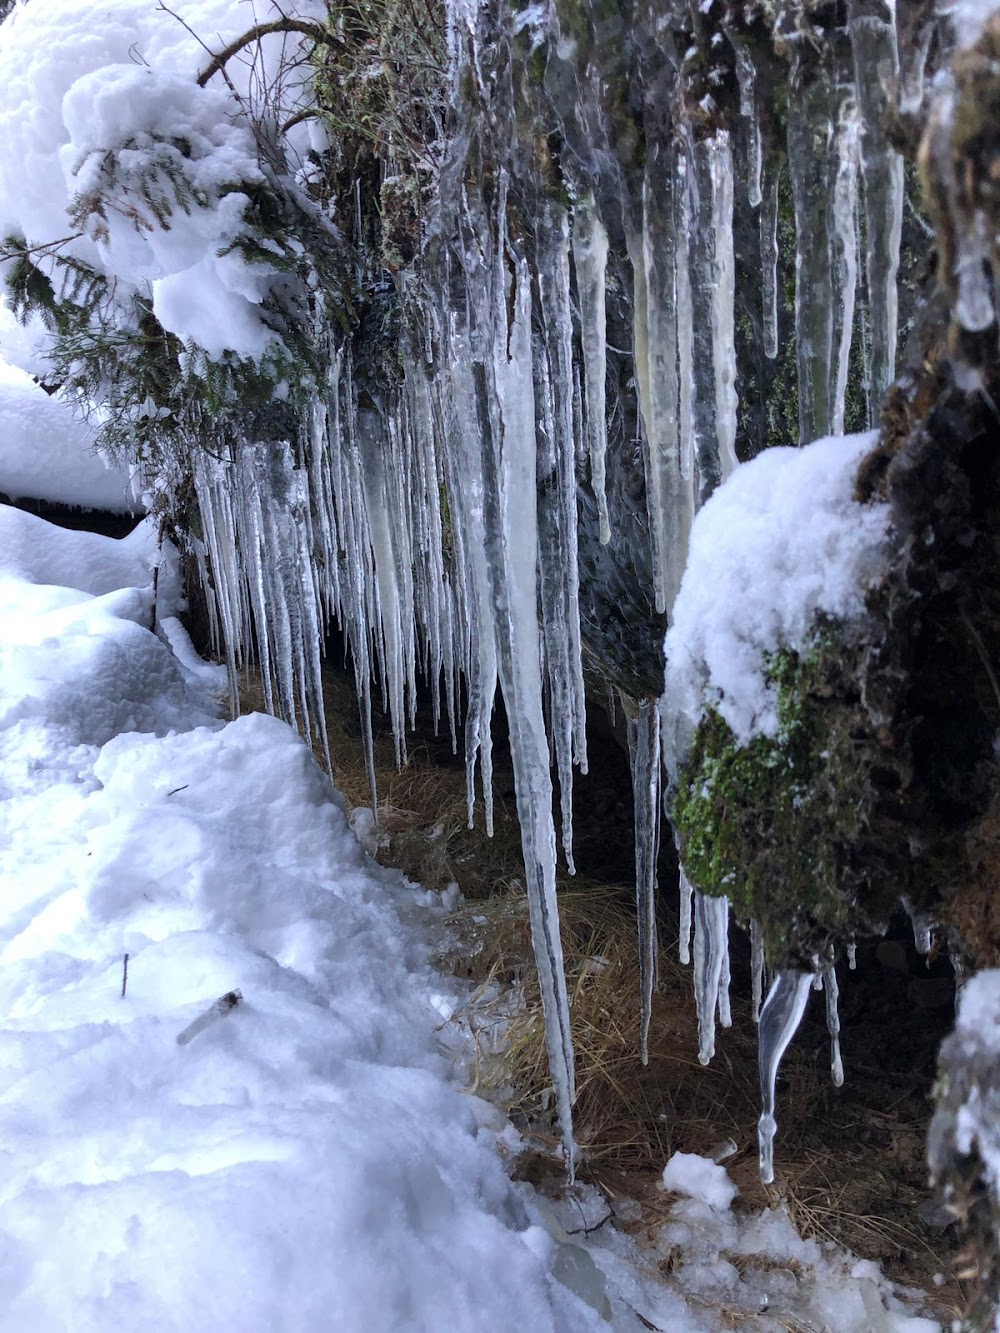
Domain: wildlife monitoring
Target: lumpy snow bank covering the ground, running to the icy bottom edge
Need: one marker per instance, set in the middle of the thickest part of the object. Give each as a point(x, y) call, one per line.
point(309, 1160)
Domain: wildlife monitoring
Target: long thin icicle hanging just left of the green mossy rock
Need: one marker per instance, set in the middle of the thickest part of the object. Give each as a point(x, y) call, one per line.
point(645, 756)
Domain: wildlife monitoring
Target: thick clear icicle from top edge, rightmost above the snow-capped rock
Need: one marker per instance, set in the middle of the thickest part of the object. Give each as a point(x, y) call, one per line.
point(874, 43)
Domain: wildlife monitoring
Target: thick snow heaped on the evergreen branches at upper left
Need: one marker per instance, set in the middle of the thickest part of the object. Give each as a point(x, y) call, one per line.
point(78, 86)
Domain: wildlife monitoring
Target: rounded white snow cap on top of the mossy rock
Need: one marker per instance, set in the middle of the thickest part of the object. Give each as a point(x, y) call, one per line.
point(779, 545)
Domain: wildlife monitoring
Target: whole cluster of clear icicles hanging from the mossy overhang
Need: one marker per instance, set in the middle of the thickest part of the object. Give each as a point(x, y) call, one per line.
point(441, 529)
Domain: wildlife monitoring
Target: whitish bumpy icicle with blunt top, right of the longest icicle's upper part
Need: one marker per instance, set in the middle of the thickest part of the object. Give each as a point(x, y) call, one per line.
point(590, 263)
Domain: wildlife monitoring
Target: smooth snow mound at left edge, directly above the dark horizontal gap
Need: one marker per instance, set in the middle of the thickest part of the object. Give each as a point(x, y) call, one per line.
point(49, 454)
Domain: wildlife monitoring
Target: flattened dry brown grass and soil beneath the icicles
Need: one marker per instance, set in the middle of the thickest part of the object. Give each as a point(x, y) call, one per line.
point(850, 1163)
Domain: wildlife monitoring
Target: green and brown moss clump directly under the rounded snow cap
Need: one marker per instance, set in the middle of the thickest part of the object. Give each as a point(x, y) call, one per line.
point(773, 823)
